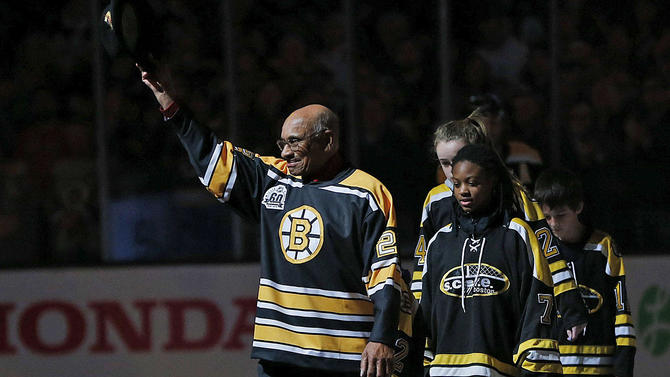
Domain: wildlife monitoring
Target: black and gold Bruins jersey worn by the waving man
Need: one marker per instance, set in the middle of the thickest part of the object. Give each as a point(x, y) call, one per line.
point(330, 277)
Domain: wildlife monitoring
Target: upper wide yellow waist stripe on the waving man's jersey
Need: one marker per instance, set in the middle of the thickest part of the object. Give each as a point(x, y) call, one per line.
point(318, 303)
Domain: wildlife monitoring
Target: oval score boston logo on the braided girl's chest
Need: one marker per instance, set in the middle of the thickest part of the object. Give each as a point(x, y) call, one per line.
point(489, 281)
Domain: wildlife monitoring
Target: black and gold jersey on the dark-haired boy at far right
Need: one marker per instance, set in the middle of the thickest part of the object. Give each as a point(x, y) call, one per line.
point(608, 346)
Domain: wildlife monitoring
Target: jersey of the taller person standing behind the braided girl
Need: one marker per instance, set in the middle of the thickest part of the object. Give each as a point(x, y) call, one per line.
point(439, 210)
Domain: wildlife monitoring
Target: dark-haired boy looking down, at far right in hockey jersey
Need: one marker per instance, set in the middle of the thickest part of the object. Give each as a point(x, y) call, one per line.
point(608, 345)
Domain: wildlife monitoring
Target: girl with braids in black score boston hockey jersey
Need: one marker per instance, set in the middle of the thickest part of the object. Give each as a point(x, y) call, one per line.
point(487, 289)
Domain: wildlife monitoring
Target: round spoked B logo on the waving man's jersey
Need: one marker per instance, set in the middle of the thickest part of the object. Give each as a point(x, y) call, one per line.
point(301, 234)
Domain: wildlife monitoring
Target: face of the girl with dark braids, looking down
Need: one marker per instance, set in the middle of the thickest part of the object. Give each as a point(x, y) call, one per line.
point(473, 188)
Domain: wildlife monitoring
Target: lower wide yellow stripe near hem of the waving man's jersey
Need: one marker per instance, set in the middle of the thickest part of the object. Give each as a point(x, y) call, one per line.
point(312, 341)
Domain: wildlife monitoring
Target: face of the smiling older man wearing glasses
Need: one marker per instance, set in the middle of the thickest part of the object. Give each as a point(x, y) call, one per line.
point(308, 156)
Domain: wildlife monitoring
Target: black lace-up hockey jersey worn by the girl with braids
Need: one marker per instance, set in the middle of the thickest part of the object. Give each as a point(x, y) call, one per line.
point(487, 301)
